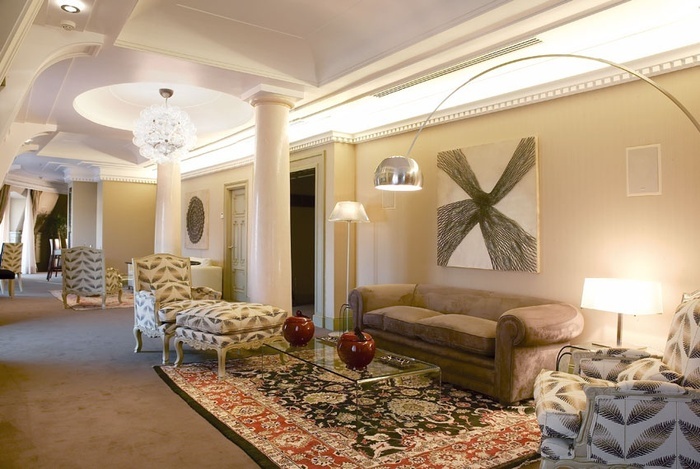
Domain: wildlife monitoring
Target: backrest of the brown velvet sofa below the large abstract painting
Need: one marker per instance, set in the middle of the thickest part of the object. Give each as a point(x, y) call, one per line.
point(478, 303)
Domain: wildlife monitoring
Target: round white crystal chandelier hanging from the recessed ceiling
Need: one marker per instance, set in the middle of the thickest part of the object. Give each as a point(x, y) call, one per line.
point(162, 133)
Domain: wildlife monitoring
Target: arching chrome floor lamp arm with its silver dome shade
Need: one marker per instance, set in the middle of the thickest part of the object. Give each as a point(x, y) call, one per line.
point(395, 165)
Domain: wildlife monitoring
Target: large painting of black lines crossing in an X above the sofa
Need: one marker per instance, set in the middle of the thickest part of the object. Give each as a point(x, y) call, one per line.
point(488, 206)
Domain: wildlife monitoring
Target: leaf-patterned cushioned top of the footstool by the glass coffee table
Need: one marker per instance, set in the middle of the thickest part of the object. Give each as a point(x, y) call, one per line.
point(221, 317)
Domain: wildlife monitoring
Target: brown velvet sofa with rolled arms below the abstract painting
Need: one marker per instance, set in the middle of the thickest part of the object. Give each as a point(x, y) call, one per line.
point(492, 343)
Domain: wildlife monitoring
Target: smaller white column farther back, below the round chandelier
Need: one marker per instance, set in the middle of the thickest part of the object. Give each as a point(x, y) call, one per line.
point(168, 236)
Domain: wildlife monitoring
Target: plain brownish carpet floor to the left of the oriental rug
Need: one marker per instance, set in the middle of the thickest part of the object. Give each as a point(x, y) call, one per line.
point(73, 394)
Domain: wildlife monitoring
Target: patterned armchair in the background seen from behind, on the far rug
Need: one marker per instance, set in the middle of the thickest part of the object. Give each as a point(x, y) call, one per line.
point(84, 274)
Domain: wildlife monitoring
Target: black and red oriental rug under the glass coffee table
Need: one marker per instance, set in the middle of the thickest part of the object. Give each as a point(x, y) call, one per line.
point(289, 414)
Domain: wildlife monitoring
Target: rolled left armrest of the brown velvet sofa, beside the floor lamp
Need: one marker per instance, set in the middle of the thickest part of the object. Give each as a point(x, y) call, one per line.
point(368, 298)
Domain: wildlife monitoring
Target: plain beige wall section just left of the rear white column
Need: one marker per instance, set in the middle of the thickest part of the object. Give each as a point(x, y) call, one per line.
point(128, 221)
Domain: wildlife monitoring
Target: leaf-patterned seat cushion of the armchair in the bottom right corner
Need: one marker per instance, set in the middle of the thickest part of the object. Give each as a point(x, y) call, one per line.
point(560, 401)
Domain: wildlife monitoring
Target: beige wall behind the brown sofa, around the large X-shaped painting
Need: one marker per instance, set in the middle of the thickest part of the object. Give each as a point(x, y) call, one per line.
point(589, 227)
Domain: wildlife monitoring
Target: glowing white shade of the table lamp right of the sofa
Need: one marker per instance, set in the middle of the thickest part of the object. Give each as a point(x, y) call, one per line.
point(623, 296)
